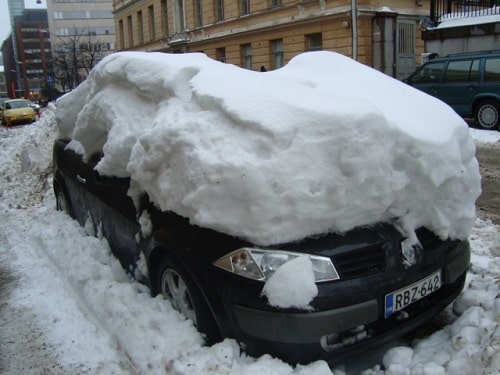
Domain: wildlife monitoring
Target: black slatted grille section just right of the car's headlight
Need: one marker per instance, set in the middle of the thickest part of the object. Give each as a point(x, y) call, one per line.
point(361, 262)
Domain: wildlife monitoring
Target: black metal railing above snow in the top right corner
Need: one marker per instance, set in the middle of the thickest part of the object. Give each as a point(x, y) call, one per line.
point(444, 9)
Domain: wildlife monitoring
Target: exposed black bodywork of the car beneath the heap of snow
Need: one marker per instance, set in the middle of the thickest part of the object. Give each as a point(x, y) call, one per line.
point(368, 295)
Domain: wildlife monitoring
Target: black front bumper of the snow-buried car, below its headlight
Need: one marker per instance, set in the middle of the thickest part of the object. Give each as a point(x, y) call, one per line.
point(302, 337)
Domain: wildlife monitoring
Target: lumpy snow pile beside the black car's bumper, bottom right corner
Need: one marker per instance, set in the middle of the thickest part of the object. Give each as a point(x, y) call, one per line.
point(470, 344)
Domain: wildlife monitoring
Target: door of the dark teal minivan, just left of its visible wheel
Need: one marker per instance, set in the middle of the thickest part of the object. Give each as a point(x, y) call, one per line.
point(460, 85)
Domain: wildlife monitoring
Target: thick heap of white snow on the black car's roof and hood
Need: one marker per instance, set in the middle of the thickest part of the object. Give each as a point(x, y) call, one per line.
point(322, 144)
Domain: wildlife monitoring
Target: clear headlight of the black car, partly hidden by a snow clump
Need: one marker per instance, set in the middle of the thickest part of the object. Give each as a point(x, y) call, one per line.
point(258, 264)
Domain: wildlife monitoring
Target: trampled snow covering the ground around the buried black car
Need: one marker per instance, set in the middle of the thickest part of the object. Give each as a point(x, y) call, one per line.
point(93, 319)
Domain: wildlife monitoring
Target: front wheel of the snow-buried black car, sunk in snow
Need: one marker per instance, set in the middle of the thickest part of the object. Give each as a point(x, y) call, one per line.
point(177, 286)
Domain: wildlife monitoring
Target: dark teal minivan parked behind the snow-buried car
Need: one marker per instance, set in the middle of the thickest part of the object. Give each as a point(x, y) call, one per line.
point(469, 83)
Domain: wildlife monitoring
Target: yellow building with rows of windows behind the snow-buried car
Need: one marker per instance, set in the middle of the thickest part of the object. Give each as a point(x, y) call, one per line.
point(268, 33)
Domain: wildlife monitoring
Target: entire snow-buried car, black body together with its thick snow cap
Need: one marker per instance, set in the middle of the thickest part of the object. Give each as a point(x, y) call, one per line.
point(302, 223)
